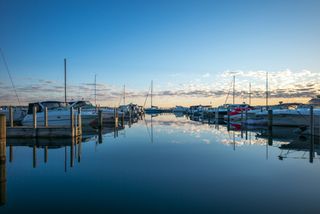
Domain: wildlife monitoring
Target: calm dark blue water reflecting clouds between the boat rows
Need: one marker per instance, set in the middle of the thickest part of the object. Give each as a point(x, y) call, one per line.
point(172, 165)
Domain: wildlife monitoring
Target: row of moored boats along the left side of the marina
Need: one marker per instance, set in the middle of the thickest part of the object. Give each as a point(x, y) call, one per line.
point(59, 113)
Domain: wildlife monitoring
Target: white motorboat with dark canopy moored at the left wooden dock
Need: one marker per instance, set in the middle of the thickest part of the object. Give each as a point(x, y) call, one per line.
point(58, 114)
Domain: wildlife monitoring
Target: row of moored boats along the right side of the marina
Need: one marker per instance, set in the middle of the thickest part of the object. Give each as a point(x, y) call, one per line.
point(302, 116)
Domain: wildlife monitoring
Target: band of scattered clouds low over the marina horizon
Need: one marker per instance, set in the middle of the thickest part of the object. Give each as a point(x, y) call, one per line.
point(282, 84)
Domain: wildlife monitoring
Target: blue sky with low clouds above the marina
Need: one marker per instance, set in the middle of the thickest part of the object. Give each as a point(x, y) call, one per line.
point(189, 48)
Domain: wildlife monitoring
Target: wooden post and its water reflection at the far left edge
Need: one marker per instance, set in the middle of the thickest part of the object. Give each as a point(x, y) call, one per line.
point(3, 173)
